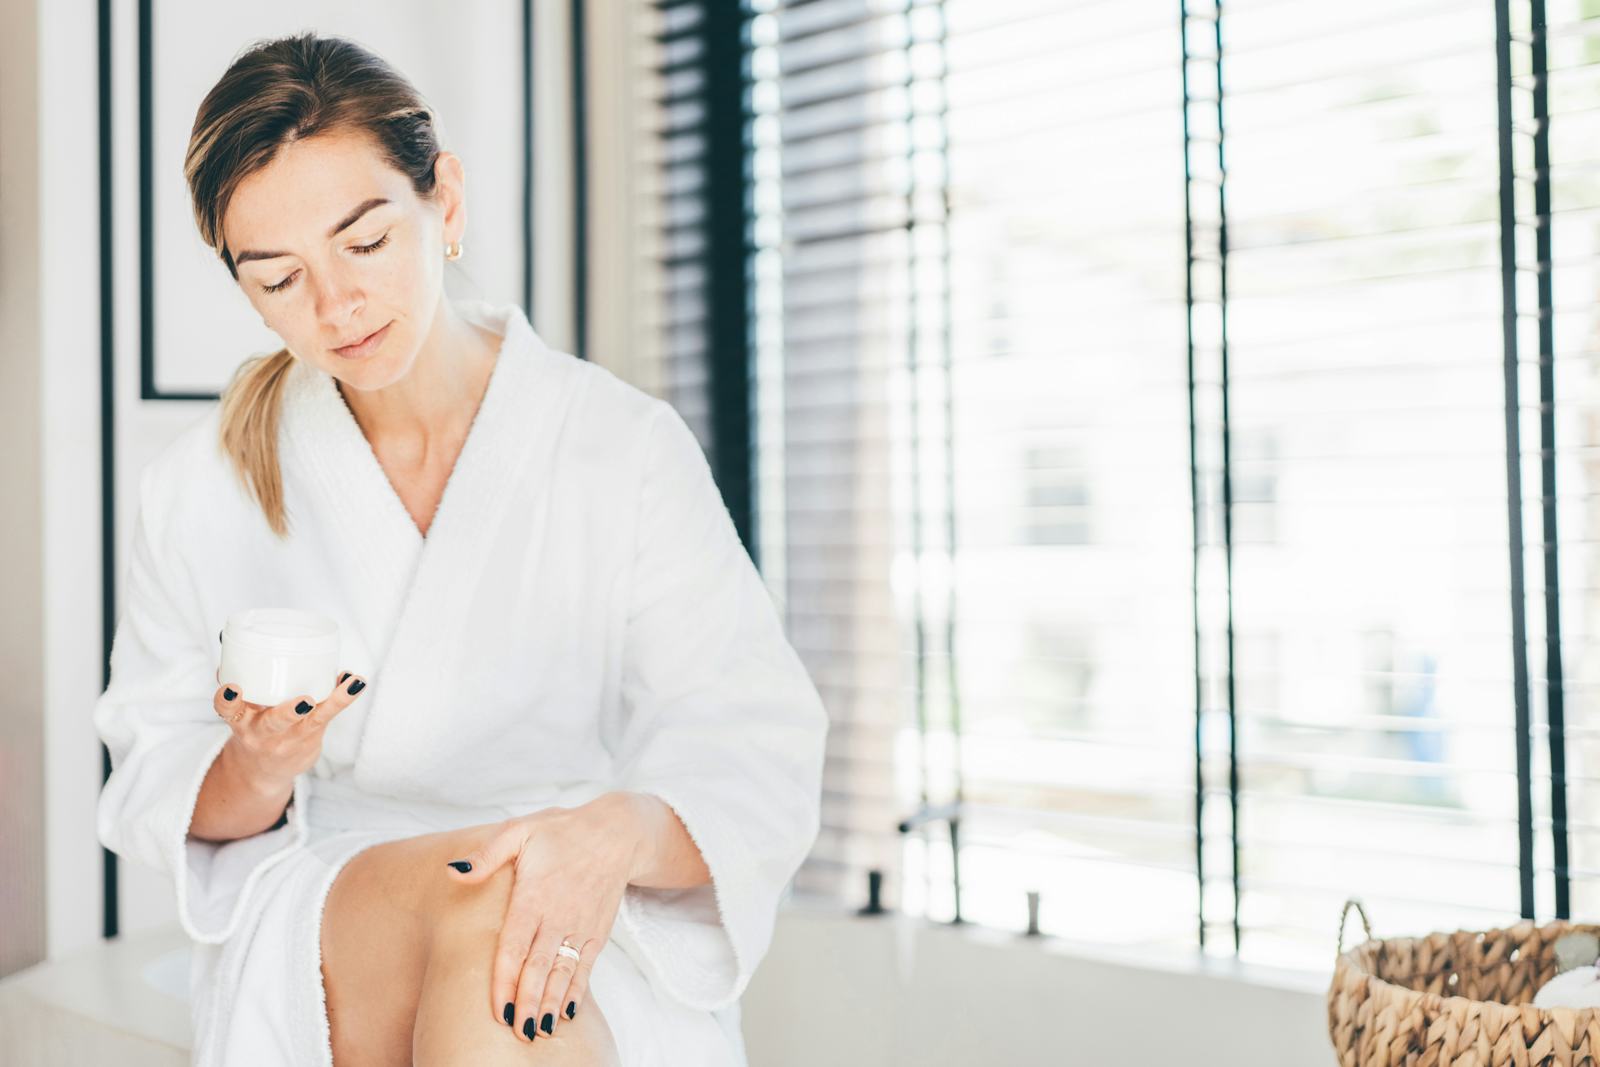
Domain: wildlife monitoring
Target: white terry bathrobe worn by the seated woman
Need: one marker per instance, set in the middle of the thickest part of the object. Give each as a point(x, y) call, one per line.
point(580, 618)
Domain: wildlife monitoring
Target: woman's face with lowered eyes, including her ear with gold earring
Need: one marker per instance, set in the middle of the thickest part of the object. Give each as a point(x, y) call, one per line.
point(334, 246)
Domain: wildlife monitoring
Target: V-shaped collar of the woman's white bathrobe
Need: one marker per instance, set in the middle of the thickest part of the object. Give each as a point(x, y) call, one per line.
point(396, 580)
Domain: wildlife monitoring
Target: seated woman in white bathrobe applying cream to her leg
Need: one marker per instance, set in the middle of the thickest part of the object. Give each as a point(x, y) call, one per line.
point(574, 764)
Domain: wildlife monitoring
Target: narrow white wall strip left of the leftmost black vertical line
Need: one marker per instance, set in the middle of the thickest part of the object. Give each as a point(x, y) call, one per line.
point(66, 265)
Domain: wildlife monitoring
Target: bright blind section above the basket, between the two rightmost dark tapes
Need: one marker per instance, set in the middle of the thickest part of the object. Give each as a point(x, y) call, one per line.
point(1374, 621)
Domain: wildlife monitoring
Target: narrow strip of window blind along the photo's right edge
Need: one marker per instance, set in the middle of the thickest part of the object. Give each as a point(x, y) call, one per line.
point(1556, 68)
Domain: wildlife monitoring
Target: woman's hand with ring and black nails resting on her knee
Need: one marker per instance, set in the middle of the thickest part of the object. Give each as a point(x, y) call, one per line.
point(572, 866)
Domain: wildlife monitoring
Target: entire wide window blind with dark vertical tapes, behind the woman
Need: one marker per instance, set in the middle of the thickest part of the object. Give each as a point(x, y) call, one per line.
point(1137, 460)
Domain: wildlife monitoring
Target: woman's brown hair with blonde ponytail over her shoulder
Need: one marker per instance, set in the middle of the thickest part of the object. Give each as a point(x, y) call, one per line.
point(276, 94)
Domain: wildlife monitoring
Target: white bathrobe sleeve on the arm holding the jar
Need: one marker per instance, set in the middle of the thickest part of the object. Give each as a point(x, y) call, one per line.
point(158, 721)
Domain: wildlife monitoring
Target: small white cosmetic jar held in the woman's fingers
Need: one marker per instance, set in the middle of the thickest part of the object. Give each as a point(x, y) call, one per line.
point(278, 653)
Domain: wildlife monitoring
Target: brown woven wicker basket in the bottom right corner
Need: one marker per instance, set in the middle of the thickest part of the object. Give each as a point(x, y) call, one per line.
point(1457, 999)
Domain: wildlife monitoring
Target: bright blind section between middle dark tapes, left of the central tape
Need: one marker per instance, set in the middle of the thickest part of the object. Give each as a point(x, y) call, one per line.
point(1073, 629)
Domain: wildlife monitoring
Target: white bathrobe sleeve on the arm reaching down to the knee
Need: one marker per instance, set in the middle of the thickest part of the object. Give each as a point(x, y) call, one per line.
point(724, 725)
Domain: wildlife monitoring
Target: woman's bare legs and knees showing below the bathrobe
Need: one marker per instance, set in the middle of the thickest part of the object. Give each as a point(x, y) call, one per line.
point(407, 967)
